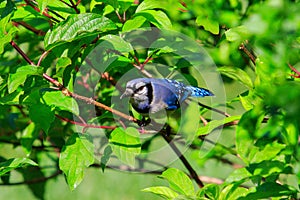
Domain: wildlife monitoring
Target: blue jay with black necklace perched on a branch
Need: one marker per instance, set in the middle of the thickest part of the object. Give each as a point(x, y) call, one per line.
point(151, 95)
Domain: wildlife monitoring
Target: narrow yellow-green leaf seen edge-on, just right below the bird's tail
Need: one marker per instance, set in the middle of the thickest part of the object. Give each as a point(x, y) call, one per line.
point(212, 125)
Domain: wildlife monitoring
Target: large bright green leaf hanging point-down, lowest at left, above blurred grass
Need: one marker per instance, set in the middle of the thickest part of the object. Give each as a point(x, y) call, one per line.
point(77, 154)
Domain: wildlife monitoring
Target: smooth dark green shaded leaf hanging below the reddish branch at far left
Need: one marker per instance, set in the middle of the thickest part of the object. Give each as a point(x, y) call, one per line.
point(41, 115)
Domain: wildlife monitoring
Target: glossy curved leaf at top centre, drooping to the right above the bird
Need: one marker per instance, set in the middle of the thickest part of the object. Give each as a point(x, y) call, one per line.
point(157, 18)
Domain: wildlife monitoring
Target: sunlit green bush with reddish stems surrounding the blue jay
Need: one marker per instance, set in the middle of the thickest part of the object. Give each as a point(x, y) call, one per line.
point(61, 75)
